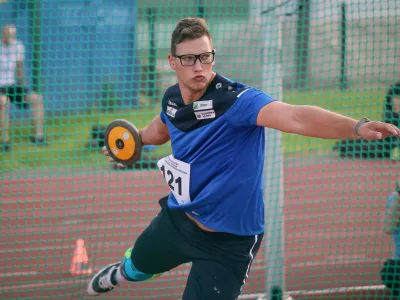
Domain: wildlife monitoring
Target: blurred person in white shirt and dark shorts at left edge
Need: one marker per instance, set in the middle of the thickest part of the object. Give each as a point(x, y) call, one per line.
point(13, 87)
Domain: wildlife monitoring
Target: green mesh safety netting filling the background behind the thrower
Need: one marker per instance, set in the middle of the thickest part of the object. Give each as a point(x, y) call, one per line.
point(91, 62)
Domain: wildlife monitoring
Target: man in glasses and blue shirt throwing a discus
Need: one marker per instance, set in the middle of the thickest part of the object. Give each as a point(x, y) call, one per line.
point(214, 215)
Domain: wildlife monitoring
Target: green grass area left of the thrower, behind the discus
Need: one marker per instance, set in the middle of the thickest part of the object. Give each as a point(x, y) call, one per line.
point(67, 138)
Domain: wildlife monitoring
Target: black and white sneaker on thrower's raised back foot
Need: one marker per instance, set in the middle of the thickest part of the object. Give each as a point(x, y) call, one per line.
point(104, 281)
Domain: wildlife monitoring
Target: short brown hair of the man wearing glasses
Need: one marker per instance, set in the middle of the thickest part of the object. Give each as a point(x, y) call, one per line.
point(188, 29)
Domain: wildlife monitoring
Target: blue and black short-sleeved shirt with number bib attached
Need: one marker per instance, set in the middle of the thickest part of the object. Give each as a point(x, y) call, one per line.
point(216, 167)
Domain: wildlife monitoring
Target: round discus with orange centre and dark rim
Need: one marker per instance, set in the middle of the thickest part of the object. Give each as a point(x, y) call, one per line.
point(123, 142)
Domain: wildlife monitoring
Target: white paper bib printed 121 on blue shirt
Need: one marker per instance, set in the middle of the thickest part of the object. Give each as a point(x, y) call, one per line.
point(177, 175)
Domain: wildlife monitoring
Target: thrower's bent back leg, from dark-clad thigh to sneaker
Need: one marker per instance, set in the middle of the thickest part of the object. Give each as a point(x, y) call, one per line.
point(158, 249)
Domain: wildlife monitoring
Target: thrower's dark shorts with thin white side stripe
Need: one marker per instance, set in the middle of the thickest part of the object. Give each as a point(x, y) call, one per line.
point(220, 261)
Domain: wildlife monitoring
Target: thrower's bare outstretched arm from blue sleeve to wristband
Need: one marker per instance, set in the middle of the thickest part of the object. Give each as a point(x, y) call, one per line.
point(306, 120)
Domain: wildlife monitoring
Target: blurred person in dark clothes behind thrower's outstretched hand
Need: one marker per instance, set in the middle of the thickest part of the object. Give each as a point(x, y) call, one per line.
point(387, 148)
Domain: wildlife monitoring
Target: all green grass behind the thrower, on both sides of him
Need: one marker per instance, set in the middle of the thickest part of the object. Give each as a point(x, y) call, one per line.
point(68, 134)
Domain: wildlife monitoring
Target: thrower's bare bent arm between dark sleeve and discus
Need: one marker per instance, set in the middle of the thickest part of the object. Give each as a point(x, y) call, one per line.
point(156, 133)
